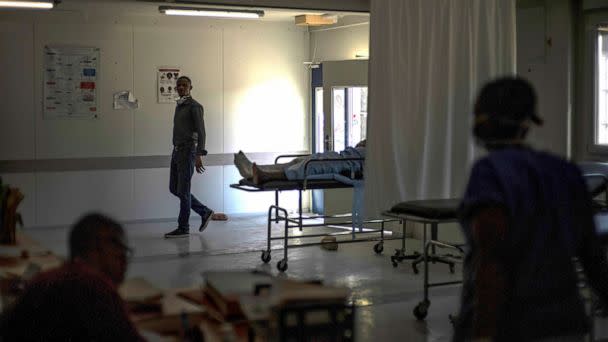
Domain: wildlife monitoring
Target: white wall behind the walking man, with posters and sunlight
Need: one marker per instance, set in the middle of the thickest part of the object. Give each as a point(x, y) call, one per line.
point(248, 75)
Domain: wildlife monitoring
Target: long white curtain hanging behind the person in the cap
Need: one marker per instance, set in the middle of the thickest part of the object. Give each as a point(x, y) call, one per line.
point(427, 60)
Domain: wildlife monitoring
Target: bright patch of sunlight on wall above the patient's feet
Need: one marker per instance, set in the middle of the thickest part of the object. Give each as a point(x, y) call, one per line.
point(271, 116)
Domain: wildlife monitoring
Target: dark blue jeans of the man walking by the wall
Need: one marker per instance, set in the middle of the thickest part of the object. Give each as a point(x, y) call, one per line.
point(182, 169)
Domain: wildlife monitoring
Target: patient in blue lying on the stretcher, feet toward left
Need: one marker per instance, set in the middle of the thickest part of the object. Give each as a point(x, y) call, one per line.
point(294, 169)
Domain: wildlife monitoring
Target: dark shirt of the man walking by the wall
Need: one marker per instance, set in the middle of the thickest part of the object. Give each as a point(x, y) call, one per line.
point(189, 126)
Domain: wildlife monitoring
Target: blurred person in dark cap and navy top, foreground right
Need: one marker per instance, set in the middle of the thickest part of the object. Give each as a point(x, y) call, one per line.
point(526, 215)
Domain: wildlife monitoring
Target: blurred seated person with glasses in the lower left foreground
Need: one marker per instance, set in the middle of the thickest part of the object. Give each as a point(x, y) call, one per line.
point(78, 301)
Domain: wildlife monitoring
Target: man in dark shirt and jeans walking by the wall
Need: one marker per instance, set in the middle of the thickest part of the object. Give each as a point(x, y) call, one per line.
point(188, 152)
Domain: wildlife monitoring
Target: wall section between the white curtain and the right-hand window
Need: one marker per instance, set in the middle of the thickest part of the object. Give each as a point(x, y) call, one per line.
point(545, 45)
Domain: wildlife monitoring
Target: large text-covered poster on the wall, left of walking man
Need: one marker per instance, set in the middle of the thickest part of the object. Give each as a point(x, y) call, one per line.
point(70, 82)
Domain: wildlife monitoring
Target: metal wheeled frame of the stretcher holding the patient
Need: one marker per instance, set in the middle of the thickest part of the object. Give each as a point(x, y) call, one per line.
point(281, 214)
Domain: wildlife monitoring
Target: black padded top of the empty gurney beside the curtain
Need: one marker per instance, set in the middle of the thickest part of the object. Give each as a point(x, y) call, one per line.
point(429, 209)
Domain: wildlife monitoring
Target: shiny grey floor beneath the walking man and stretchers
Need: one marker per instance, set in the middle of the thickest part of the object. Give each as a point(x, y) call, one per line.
point(385, 295)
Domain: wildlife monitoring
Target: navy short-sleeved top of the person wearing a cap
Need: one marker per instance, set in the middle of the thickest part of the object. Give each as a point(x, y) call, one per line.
point(550, 221)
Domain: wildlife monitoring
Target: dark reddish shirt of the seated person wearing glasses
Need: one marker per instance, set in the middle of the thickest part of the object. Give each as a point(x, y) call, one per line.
point(70, 303)
